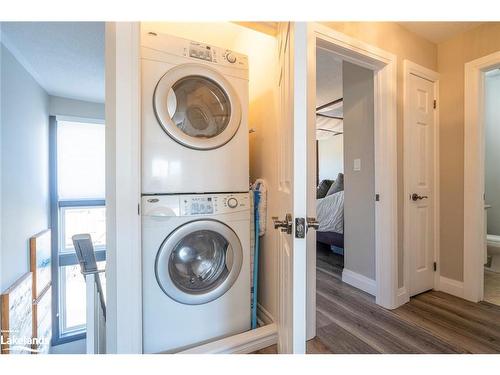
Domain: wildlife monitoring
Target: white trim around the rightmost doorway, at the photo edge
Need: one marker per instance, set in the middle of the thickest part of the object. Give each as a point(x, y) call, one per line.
point(474, 149)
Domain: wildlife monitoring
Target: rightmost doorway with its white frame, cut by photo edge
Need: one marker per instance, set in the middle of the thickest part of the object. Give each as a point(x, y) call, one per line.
point(479, 180)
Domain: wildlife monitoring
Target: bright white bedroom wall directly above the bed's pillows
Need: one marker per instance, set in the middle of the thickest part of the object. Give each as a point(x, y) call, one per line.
point(331, 157)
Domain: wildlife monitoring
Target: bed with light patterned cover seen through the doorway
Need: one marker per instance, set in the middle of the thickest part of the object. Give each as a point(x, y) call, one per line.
point(330, 215)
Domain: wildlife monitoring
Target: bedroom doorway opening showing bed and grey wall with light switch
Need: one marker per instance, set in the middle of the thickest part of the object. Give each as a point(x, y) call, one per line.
point(345, 205)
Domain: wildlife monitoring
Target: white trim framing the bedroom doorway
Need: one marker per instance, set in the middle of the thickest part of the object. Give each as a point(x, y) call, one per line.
point(384, 66)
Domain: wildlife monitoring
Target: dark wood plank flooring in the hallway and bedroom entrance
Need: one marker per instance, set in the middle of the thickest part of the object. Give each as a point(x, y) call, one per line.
point(349, 321)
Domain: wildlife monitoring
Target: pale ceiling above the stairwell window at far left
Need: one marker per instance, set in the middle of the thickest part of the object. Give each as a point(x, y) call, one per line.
point(66, 58)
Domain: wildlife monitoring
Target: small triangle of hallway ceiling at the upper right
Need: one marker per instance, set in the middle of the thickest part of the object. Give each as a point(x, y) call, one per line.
point(438, 32)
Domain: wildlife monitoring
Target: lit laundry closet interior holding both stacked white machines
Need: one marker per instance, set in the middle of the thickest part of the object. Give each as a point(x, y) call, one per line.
point(208, 125)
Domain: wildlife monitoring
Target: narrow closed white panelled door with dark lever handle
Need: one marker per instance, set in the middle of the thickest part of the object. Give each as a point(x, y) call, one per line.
point(421, 165)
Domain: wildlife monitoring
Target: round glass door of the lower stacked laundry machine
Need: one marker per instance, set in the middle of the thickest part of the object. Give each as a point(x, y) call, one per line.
point(199, 262)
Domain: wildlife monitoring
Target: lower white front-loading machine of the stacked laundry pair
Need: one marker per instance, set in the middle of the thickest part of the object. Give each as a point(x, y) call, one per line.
point(195, 269)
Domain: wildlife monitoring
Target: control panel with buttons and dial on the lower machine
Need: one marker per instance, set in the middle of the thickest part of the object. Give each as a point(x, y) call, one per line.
point(208, 204)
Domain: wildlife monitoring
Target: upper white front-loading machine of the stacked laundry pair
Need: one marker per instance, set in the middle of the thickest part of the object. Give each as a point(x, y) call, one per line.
point(194, 117)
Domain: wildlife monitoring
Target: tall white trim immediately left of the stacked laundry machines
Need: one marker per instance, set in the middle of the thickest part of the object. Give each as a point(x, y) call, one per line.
point(123, 157)
